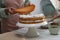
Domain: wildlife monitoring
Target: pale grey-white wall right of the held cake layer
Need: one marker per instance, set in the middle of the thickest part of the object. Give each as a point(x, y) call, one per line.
point(37, 6)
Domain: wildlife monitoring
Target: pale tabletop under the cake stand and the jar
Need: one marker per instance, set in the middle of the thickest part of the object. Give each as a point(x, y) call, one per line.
point(44, 35)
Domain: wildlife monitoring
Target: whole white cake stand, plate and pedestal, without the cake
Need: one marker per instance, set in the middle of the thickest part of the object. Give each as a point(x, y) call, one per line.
point(31, 28)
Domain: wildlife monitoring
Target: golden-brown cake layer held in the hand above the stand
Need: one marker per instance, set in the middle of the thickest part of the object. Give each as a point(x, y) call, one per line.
point(25, 10)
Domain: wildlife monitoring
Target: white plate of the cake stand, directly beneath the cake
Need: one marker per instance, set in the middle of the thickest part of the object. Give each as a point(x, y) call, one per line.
point(31, 25)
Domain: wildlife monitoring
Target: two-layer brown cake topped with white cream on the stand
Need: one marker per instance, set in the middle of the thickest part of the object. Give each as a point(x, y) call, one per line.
point(31, 19)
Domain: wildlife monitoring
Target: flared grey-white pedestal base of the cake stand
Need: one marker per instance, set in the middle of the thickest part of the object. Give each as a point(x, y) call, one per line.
point(32, 32)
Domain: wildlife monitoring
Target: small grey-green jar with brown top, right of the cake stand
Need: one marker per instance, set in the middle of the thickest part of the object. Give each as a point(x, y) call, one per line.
point(53, 28)
